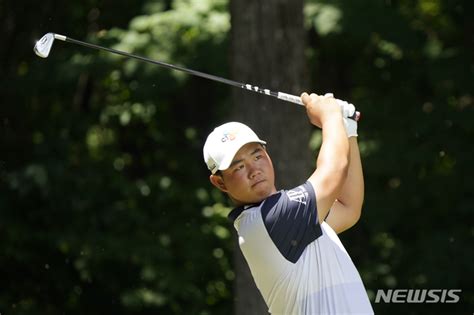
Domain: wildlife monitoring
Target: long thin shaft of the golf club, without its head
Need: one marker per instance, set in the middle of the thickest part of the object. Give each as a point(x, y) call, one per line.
point(280, 95)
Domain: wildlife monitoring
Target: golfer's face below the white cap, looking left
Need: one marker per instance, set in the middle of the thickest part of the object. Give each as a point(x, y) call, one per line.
point(250, 177)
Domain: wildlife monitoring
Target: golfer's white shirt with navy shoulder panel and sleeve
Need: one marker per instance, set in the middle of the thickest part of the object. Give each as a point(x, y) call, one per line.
point(299, 265)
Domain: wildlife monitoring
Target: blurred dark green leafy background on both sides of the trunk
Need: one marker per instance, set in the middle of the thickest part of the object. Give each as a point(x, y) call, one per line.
point(105, 204)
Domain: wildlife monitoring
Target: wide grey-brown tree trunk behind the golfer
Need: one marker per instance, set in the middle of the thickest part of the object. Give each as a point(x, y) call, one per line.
point(268, 42)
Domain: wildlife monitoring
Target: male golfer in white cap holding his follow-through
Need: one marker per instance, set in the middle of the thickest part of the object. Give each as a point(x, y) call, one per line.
point(289, 237)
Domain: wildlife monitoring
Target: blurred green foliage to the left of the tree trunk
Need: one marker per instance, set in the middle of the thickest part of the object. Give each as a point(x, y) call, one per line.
point(109, 199)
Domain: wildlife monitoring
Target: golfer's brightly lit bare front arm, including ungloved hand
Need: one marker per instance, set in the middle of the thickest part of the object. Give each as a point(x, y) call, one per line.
point(332, 161)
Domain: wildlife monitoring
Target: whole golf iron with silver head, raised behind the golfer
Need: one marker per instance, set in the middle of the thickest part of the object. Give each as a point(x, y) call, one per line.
point(43, 48)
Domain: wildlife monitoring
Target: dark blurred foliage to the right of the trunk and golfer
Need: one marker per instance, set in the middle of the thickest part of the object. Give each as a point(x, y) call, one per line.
point(408, 67)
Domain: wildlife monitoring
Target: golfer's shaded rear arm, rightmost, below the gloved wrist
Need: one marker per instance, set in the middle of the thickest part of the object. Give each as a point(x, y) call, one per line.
point(346, 210)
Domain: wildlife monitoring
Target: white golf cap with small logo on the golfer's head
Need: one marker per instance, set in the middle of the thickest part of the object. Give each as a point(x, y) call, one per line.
point(223, 143)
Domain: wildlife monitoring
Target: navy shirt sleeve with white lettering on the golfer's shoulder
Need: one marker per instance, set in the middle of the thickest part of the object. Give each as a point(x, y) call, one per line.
point(291, 220)
